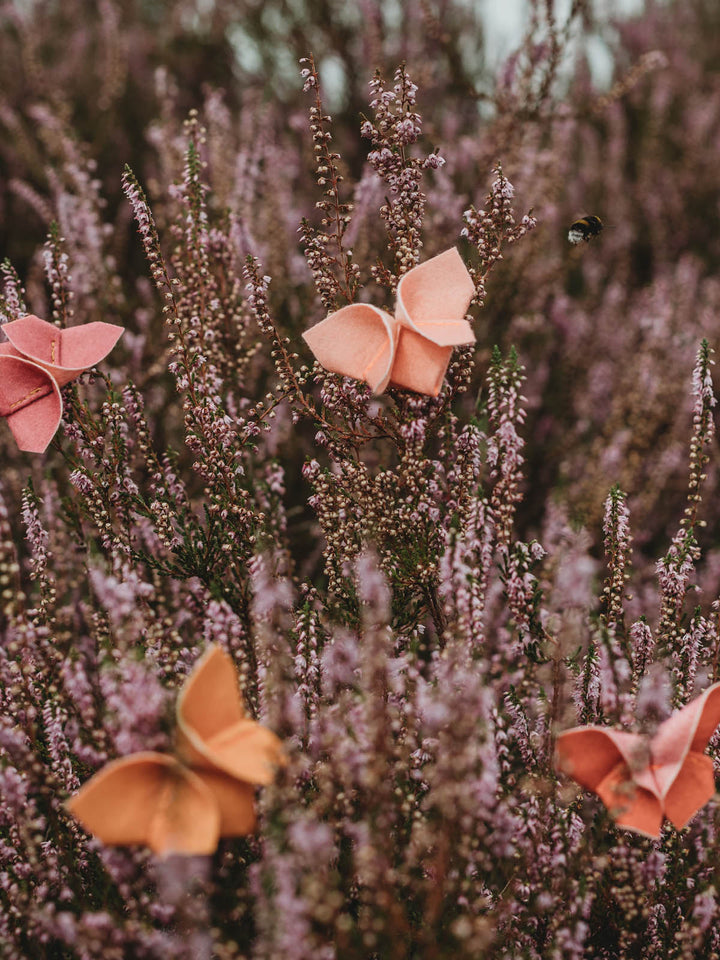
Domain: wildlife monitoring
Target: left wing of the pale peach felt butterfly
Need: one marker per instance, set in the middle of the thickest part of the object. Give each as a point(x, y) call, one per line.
point(357, 341)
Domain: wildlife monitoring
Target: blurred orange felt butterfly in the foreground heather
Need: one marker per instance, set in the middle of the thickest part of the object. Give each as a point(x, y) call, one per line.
point(184, 804)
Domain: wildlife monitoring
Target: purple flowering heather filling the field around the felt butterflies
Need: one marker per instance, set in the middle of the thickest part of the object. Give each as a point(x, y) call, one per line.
point(419, 593)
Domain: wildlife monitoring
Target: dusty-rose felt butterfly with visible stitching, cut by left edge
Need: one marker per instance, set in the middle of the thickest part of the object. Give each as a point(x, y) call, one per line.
point(37, 360)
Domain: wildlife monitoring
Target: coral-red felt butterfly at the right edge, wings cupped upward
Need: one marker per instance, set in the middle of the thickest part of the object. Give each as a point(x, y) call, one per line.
point(641, 780)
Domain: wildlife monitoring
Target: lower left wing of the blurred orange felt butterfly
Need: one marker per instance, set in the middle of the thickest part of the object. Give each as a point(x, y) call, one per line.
point(149, 798)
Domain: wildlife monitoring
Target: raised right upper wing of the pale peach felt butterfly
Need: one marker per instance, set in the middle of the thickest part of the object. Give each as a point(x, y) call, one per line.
point(433, 298)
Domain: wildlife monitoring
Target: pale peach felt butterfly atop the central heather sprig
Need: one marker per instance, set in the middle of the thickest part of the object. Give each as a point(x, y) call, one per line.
point(412, 349)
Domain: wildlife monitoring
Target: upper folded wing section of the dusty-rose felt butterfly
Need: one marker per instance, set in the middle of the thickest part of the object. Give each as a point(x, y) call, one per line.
point(64, 353)
